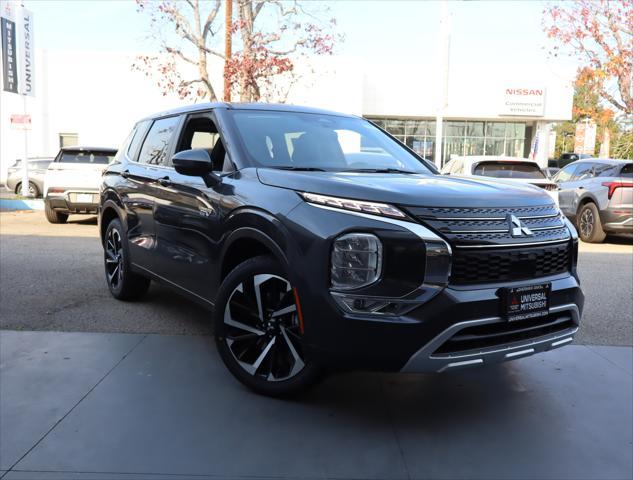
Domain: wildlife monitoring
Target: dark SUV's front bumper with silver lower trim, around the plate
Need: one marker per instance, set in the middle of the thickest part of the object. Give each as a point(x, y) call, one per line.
point(424, 340)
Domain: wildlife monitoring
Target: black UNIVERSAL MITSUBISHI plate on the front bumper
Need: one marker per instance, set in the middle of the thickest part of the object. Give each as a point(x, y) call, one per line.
point(526, 302)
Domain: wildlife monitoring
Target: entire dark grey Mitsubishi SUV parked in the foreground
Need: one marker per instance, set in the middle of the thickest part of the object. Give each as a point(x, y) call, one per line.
point(320, 242)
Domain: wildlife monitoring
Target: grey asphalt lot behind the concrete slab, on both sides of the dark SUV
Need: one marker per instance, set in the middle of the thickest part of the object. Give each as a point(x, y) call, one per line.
point(52, 278)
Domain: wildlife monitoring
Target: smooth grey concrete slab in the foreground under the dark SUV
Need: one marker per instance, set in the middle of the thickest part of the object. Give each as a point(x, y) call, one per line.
point(121, 406)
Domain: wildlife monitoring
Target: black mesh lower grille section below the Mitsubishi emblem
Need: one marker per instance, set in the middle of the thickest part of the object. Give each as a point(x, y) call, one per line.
point(504, 265)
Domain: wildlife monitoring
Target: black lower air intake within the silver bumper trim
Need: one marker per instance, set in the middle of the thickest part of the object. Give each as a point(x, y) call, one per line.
point(503, 332)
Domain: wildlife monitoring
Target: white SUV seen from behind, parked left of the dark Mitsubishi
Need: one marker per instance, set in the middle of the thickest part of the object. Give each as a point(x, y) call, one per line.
point(72, 180)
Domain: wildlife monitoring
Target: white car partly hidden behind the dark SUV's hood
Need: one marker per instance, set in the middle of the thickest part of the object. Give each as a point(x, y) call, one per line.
point(517, 169)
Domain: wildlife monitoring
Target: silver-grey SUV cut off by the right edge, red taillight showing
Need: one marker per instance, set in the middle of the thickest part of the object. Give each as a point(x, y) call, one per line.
point(597, 196)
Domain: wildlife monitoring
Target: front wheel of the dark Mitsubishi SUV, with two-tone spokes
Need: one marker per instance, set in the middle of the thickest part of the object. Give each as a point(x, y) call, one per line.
point(271, 337)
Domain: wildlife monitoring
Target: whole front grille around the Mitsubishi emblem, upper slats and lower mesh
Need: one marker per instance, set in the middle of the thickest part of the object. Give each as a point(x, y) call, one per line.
point(487, 250)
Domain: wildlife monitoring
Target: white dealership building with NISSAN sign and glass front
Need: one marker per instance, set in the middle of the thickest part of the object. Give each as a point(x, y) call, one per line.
point(93, 98)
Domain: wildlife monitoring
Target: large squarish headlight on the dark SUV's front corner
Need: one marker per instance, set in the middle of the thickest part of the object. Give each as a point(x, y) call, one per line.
point(356, 261)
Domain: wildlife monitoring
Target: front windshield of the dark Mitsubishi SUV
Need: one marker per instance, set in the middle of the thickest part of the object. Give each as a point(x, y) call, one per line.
point(308, 141)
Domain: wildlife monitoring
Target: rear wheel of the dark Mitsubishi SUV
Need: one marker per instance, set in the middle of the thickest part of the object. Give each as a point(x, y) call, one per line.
point(122, 282)
